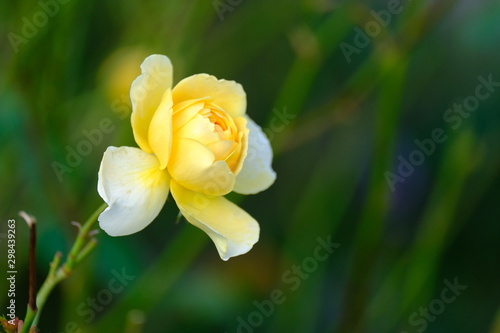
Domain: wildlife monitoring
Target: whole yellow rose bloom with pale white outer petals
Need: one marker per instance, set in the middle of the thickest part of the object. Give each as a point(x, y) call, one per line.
point(196, 142)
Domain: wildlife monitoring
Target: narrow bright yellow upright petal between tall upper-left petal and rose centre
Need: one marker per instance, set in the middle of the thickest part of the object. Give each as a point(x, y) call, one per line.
point(160, 130)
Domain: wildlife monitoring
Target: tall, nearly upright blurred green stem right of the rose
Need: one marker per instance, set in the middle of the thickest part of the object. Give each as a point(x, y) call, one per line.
point(368, 237)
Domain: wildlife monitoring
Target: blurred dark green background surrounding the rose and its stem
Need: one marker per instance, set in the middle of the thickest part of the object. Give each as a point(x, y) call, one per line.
point(358, 81)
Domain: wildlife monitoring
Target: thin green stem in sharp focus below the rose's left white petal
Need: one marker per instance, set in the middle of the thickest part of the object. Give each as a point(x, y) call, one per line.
point(82, 247)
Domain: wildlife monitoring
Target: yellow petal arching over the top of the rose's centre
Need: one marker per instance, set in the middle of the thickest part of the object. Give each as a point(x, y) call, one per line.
point(228, 95)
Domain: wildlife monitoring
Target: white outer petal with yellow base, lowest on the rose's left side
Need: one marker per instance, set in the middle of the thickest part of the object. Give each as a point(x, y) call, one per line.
point(134, 188)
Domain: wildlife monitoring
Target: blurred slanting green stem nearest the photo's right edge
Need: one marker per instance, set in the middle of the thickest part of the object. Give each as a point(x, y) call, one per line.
point(417, 268)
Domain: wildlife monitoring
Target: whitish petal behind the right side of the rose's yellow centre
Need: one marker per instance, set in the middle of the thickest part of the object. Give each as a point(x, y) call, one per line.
point(257, 173)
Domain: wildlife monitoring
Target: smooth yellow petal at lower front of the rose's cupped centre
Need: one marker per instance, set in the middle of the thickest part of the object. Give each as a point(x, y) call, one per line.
point(193, 165)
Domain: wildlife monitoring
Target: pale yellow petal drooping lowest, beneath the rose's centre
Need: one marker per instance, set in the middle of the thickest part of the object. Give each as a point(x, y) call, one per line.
point(233, 230)
